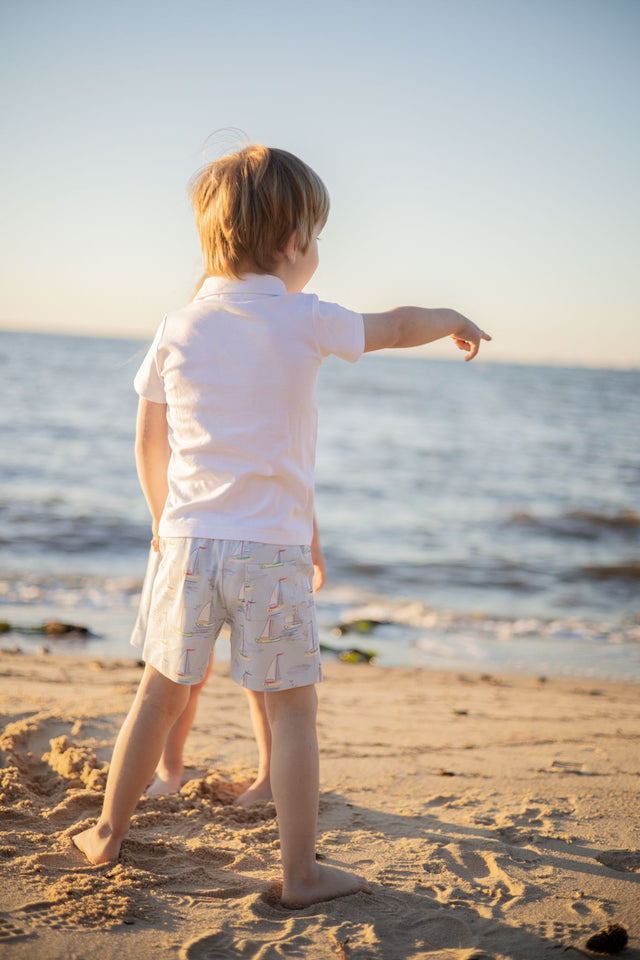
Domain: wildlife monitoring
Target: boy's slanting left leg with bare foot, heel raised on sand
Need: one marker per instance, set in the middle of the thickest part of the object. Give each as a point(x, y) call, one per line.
point(158, 703)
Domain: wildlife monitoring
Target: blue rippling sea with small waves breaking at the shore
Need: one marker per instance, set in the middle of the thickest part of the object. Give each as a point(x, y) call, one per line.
point(473, 516)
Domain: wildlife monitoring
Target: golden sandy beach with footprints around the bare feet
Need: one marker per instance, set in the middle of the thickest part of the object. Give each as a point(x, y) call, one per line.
point(494, 818)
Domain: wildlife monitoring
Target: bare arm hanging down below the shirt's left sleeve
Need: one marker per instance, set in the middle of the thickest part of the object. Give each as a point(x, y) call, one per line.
point(152, 458)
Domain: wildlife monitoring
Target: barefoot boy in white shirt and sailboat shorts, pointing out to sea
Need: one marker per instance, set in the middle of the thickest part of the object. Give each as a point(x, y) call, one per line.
point(225, 452)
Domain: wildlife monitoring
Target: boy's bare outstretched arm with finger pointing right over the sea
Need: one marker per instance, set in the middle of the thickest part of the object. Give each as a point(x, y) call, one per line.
point(413, 326)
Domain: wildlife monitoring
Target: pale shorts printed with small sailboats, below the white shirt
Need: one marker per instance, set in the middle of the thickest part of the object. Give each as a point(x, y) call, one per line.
point(263, 591)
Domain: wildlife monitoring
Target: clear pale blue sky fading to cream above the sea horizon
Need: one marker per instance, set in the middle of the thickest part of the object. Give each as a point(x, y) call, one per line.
point(480, 154)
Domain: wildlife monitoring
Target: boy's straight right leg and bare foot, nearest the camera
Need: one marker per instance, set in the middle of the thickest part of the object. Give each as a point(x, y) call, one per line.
point(295, 784)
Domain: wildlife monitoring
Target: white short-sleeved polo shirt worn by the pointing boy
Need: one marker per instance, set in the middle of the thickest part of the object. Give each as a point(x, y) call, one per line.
point(238, 370)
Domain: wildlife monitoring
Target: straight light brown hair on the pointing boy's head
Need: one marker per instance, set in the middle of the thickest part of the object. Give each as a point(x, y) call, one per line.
point(248, 205)
